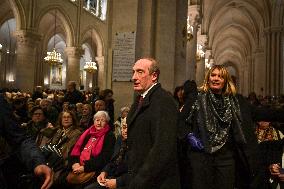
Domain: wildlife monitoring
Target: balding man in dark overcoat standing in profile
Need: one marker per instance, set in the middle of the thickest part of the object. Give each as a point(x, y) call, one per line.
point(152, 131)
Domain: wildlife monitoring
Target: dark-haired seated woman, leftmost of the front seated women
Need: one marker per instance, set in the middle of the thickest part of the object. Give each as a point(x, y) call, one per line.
point(39, 128)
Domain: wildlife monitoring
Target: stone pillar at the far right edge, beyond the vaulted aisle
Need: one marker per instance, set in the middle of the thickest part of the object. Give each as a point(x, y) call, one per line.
point(274, 75)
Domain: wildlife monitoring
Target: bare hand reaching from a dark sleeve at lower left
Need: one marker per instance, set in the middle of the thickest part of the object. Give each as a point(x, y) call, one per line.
point(47, 173)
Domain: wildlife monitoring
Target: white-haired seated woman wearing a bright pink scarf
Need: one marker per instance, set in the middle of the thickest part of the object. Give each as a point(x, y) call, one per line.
point(92, 151)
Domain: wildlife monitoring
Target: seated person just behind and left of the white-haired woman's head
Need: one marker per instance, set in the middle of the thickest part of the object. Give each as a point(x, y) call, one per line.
point(86, 120)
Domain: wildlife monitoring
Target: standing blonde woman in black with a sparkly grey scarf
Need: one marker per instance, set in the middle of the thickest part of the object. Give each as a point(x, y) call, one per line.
point(220, 133)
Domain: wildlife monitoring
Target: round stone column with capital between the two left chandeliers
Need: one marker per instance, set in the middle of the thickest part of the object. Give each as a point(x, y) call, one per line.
point(73, 64)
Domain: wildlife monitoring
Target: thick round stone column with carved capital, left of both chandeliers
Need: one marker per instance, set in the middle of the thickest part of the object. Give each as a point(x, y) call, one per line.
point(26, 55)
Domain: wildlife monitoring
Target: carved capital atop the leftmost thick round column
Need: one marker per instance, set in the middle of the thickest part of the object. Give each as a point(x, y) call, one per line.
point(27, 38)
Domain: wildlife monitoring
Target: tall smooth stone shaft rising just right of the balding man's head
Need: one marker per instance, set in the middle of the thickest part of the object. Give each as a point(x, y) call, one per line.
point(165, 40)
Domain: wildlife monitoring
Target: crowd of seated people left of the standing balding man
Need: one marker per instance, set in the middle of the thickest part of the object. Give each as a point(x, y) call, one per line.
point(52, 121)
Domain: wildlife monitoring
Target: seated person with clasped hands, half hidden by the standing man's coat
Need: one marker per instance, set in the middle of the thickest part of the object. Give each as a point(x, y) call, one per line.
point(114, 174)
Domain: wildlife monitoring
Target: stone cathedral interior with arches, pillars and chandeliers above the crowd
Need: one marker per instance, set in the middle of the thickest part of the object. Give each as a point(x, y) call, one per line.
point(96, 43)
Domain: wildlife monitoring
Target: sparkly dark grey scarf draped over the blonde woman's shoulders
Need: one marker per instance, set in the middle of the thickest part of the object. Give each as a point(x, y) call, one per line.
point(220, 114)
